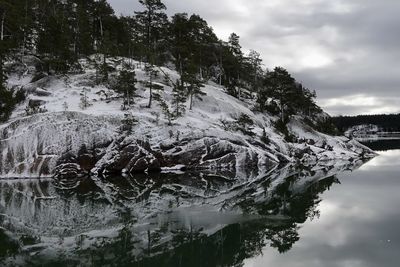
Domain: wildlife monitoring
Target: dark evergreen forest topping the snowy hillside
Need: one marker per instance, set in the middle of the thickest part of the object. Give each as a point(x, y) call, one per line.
point(60, 32)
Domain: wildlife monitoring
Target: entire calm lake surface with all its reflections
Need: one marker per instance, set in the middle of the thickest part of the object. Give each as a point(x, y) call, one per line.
point(341, 215)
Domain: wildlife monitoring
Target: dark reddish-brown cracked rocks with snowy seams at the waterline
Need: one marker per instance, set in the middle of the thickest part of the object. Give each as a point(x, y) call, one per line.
point(128, 155)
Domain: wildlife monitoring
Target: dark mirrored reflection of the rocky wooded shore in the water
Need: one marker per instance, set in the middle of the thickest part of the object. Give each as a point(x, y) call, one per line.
point(195, 219)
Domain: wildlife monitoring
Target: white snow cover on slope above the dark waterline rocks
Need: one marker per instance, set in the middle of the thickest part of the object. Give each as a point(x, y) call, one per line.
point(28, 141)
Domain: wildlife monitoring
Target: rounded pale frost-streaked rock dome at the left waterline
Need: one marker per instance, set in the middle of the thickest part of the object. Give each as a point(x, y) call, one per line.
point(32, 146)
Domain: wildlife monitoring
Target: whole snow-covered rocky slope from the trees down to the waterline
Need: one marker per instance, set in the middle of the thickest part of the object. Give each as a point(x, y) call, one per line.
point(69, 140)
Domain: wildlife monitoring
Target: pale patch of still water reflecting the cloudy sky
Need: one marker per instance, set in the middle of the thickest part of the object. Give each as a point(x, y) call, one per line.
point(358, 223)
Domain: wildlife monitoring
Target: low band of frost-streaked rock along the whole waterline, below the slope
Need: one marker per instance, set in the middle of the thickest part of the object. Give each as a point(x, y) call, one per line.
point(71, 144)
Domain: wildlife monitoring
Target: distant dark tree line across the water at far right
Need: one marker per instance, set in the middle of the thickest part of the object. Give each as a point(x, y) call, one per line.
point(387, 122)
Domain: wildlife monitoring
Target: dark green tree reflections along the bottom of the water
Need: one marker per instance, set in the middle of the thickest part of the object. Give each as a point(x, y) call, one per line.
point(228, 247)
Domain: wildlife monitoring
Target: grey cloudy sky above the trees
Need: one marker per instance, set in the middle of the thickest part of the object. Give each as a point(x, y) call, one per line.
point(347, 50)
